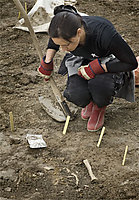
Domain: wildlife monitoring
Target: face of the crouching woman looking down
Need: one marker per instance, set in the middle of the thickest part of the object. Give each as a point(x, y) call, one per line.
point(70, 45)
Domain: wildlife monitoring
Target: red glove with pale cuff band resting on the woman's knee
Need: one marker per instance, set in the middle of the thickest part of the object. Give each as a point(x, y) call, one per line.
point(88, 72)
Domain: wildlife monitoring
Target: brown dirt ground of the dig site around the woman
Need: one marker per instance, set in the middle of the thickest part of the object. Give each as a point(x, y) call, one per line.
point(51, 173)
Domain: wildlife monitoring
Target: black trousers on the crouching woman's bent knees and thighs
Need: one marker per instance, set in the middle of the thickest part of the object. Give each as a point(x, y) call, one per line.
point(100, 89)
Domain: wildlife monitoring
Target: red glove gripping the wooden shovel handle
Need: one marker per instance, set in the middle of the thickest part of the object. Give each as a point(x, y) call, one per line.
point(45, 69)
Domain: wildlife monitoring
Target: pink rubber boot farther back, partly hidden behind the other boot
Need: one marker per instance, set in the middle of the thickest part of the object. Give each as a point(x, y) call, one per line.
point(86, 112)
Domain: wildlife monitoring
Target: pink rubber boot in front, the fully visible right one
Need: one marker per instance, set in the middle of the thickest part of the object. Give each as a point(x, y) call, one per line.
point(96, 119)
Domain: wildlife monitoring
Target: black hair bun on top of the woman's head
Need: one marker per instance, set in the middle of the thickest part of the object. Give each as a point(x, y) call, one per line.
point(63, 8)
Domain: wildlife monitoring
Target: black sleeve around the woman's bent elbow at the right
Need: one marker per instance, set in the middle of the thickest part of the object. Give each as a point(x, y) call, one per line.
point(125, 58)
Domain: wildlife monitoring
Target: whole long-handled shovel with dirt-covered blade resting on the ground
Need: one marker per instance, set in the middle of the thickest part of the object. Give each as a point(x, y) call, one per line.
point(47, 104)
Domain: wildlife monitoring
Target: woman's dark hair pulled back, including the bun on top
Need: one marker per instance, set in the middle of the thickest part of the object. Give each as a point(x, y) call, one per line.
point(65, 23)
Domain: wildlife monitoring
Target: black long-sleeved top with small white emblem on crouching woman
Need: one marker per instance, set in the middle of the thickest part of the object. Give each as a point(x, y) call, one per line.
point(102, 39)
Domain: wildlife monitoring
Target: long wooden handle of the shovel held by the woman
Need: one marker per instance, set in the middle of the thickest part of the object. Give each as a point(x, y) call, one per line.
point(54, 87)
